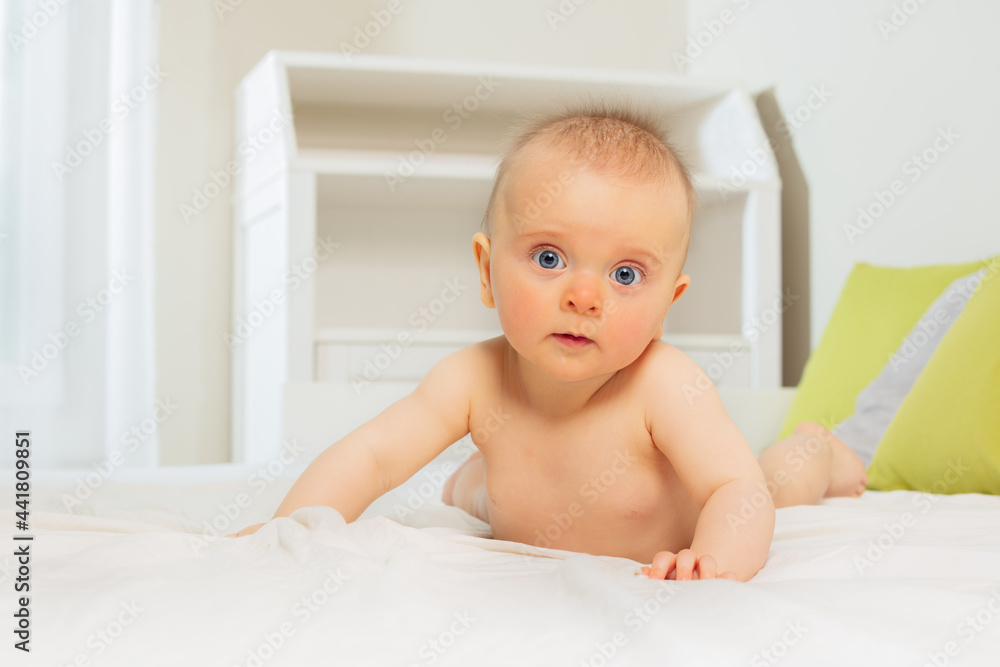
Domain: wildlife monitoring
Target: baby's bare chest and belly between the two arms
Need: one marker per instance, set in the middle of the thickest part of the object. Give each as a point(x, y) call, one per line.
point(592, 482)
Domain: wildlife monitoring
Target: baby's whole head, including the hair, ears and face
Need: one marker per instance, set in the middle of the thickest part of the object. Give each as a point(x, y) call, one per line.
point(587, 230)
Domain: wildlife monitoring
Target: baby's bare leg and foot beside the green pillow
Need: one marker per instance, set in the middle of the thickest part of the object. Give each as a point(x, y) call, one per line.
point(810, 465)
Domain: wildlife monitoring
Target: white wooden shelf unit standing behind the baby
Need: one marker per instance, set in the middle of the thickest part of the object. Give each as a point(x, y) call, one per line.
point(362, 179)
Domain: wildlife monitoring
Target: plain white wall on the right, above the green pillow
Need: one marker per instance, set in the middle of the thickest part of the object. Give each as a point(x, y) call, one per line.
point(889, 96)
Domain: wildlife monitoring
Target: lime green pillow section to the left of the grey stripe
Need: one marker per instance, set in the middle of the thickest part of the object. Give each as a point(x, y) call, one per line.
point(877, 309)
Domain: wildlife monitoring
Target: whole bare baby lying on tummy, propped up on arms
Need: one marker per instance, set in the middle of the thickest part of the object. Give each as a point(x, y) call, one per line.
point(587, 231)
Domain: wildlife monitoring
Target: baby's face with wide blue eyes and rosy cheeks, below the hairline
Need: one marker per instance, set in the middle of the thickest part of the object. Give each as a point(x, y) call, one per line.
point(578, 251)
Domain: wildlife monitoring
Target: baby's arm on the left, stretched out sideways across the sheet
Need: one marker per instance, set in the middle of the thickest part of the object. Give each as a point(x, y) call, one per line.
point(383, 453)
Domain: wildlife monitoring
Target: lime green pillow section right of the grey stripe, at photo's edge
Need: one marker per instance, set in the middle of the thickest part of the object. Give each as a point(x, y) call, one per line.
point(945, 438)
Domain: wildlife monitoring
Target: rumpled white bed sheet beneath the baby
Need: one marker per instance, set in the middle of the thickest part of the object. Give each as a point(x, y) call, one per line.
point(896, 578)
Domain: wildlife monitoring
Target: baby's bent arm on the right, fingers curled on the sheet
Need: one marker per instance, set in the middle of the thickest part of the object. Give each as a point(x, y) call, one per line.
point(689, 424)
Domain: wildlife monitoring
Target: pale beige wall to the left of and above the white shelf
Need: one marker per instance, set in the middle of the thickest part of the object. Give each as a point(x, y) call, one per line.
point(206, 53)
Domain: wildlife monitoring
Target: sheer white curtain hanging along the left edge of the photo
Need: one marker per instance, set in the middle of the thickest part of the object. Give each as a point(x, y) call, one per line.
point(78, 99)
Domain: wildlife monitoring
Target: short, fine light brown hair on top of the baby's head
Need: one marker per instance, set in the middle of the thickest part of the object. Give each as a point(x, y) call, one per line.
point(617, 138)
